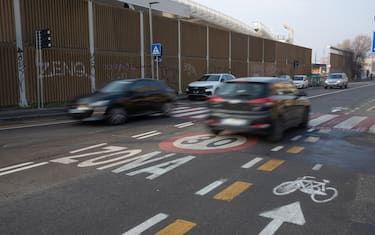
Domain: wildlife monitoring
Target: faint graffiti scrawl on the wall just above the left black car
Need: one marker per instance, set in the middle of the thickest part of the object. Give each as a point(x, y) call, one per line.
point(118, 71)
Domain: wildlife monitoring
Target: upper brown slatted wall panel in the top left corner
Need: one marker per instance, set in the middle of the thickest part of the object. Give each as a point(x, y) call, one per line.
point(7, 27)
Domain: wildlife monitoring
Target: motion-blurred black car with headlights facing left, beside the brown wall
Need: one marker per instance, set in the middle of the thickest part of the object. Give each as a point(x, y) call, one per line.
point(120, 99)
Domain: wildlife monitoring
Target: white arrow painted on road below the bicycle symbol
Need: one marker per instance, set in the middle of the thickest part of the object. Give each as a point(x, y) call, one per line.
point(290, 213)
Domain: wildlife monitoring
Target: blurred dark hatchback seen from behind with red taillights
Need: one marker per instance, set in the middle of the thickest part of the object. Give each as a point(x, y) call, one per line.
point(259, 105)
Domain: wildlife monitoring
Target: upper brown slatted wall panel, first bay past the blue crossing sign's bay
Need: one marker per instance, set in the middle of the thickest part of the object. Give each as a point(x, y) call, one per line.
point(193, 40)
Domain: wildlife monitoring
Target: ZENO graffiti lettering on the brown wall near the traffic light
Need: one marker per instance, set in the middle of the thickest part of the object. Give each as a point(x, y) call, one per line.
point(64, 69)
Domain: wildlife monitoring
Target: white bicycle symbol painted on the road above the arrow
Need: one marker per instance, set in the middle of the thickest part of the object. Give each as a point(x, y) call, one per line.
point(318, 190)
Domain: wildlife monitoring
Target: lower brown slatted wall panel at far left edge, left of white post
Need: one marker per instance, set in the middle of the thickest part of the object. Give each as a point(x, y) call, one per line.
point(9, 93)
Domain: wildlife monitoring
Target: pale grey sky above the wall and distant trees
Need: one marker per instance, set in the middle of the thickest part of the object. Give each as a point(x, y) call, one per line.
point(316, 23)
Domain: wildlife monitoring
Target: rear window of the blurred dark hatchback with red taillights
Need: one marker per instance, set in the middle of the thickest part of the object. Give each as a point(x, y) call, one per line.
point(249, 90)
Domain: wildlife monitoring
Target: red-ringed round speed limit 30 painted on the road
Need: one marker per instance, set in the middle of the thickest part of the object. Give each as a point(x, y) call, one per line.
point(205, 143)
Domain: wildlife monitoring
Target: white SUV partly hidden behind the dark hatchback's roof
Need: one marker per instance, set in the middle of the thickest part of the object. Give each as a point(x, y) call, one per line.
point(207, 85)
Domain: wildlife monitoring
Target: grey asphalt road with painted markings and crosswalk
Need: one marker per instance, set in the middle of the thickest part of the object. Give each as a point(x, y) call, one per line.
point(159, 175)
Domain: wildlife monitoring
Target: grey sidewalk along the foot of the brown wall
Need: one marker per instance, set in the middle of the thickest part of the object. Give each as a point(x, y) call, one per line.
point(21, 114)
